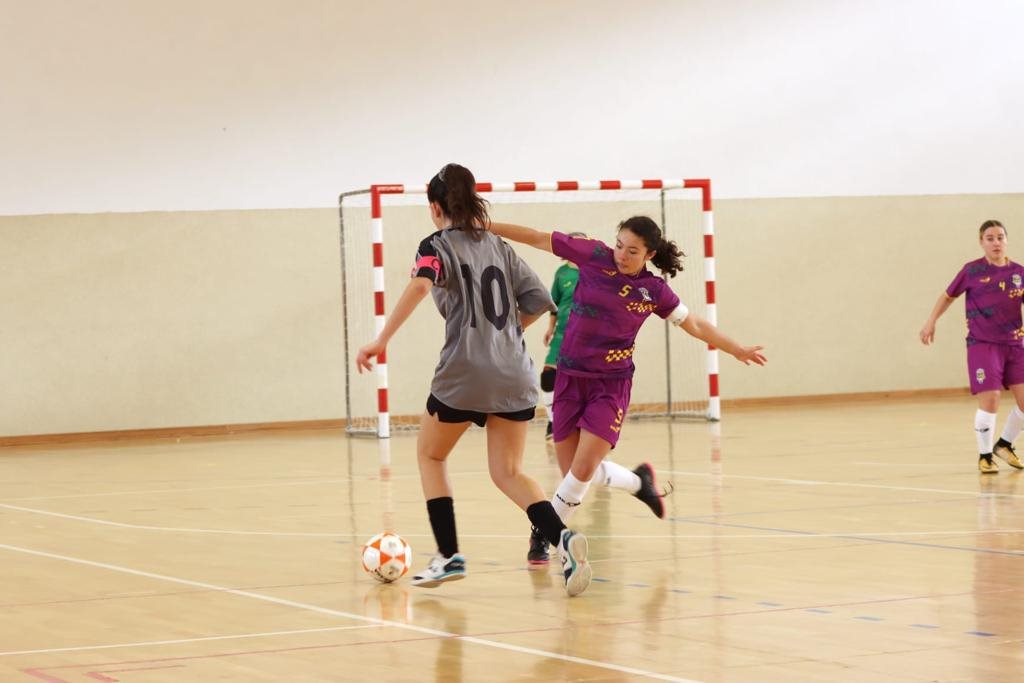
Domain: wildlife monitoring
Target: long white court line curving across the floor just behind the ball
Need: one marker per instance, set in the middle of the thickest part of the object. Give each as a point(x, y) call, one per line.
point(517, 537)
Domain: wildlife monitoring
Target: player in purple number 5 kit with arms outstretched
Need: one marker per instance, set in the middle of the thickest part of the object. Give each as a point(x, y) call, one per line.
point(614, 297)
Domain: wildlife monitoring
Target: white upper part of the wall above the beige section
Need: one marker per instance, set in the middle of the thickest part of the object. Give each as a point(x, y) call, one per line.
point(146, 105)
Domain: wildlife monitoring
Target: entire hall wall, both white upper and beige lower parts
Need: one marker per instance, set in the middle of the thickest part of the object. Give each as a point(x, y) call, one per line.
point(169, 249)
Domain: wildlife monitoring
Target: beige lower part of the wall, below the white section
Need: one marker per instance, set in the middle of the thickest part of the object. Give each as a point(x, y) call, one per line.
point(121, 322)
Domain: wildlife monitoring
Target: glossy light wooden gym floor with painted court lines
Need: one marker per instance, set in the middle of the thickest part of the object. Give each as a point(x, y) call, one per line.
point(836, 542)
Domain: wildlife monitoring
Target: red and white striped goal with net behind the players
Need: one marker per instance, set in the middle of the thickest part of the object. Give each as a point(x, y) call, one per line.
point(397, 394)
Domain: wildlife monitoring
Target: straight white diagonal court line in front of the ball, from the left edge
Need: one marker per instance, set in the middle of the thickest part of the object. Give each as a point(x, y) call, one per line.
point(359, 618)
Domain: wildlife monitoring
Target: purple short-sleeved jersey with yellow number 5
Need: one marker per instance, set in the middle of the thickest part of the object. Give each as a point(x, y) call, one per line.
point(609, 309)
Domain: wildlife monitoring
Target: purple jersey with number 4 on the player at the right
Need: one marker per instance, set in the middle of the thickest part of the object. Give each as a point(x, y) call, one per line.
point(993, 303)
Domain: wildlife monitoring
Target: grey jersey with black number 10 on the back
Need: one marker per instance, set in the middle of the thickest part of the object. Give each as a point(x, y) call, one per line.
point(480, 287)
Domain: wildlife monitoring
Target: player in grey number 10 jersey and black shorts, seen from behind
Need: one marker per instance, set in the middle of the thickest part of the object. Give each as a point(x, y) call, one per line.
point(487, 296)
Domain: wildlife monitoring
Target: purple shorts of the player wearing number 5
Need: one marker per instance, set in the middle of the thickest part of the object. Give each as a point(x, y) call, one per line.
point(595, 404)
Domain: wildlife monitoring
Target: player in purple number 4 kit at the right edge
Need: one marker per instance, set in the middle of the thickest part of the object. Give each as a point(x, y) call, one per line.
point(995, 288)
